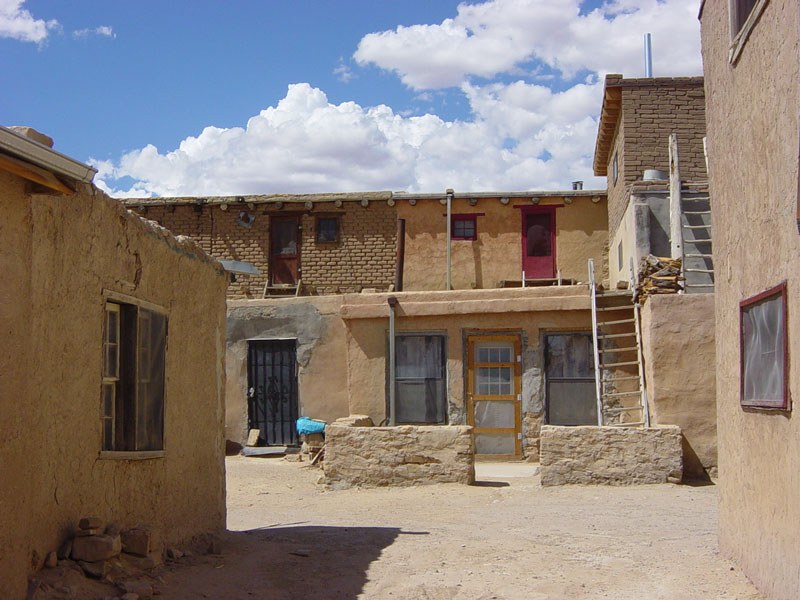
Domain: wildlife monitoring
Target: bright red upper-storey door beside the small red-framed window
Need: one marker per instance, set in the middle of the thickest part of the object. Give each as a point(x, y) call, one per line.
point(539, 242)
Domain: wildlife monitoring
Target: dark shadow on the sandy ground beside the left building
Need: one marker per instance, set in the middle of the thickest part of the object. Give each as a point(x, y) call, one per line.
point(285, 562)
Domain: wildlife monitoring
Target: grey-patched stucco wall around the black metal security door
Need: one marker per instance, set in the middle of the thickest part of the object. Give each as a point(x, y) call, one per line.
point(315, 324)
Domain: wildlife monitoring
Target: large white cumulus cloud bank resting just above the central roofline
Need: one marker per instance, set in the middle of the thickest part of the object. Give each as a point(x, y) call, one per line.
point(307, 144)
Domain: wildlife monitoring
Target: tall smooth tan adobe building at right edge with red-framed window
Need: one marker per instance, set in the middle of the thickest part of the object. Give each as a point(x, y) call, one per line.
point(752, 65)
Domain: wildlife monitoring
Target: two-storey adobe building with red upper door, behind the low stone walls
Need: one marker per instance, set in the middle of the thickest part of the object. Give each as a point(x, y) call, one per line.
point(476, 354)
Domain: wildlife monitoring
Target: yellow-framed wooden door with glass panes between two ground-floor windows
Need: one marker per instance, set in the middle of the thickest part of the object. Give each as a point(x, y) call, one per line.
point(493, 394)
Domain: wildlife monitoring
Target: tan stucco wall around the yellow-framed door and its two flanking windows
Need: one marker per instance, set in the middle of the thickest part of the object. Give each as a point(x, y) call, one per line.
point(529, 313)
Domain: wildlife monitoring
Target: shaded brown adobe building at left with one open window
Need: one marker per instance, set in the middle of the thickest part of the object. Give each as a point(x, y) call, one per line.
point(111, 363)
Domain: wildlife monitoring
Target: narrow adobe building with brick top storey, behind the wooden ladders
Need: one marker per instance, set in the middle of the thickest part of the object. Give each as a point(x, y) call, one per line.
point(658, 204)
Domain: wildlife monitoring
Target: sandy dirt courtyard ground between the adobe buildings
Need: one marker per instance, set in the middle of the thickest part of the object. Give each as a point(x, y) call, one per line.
point(505, 538)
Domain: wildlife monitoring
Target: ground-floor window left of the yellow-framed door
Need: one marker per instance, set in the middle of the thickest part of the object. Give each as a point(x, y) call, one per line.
point(420, 385)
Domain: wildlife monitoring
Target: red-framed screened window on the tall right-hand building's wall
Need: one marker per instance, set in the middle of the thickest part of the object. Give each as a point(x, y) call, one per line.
point(764, 350)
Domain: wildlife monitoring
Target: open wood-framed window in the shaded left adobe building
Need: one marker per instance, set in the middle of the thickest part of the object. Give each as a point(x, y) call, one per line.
point(134, 347)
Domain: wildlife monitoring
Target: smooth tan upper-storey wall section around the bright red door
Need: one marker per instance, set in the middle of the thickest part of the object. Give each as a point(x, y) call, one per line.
point(581, 233)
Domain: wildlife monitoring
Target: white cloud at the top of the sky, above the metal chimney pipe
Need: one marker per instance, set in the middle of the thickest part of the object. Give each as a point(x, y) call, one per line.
point(502, 36)
